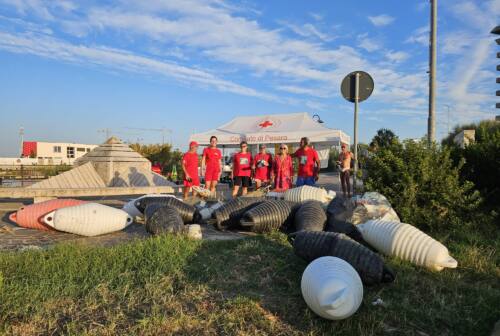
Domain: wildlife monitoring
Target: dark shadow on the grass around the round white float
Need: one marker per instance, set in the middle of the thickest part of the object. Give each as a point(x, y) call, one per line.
point(264, 273)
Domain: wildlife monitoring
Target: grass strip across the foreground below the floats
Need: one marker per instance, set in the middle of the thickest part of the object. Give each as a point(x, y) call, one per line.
point(171, 285)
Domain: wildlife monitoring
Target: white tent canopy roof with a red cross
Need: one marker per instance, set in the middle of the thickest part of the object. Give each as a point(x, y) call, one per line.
point(275, 128)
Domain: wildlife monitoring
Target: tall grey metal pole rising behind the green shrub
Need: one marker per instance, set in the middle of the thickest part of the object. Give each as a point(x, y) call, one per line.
point(431, 122)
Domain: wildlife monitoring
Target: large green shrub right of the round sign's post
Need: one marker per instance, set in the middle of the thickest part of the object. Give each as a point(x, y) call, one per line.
point(423, 185)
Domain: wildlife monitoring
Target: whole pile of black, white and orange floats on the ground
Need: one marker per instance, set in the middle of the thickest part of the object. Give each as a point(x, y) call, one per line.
point(344, 241)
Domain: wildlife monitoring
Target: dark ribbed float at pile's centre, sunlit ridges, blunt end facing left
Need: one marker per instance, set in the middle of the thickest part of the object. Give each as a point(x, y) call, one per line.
point(268, 216)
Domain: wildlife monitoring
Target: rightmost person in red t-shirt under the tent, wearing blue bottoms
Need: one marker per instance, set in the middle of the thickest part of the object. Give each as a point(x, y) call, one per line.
point(308, 164)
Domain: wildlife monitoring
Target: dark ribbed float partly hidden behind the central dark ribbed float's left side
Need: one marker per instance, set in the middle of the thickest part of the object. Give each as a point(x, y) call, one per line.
point(228, 215)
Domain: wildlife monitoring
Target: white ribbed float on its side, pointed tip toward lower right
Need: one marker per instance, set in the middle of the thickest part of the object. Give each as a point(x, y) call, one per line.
point(408, 243)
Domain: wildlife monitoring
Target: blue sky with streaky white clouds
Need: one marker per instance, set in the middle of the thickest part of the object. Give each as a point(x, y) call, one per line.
point(69, 68)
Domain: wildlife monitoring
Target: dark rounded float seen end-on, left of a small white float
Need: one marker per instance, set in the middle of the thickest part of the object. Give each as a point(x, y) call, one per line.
point(161, 218)
